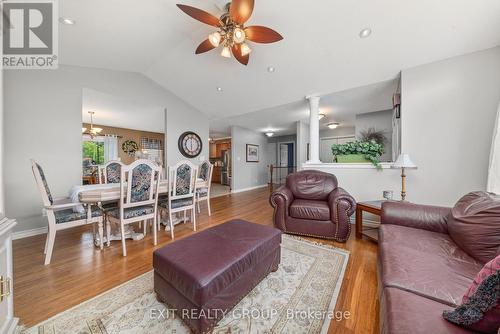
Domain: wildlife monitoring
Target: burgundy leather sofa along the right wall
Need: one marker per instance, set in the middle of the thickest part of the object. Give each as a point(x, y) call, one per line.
point(422, 270)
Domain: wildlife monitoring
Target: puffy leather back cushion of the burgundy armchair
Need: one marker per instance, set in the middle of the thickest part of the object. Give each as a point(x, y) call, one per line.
point(311, 184)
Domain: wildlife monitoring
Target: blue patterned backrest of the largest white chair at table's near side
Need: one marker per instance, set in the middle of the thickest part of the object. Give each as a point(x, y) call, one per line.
point(140, 181)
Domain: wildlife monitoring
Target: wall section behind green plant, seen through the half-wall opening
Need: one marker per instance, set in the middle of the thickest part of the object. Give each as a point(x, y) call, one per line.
point(380, 121)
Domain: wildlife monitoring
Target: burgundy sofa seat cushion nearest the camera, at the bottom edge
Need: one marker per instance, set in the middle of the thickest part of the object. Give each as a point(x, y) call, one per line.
point(405, 312)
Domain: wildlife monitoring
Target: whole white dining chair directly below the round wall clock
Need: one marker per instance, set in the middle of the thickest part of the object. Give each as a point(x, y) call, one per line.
point(181, 193)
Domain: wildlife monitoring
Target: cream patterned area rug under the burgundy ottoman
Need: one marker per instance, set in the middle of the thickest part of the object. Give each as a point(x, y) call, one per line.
point(299, 297)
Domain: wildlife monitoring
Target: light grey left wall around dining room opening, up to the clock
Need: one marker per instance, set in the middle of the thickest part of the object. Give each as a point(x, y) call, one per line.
point(43, 115)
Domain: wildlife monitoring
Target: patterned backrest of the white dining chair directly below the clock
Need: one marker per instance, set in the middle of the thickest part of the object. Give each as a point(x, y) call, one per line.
point(182, 180)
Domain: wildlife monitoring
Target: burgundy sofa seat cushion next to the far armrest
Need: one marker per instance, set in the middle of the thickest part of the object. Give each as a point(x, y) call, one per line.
point(425, 263)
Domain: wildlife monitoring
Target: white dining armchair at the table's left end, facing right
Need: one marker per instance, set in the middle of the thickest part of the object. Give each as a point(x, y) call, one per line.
point(60, 213)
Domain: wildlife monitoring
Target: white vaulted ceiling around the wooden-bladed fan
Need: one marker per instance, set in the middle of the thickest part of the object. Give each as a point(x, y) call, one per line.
point(321, 51)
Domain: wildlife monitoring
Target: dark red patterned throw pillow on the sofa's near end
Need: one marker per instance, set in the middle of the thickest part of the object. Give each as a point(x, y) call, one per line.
point(480, 309)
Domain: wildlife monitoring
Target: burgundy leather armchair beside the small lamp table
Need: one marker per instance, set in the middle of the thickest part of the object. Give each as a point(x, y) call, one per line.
point(311, 204)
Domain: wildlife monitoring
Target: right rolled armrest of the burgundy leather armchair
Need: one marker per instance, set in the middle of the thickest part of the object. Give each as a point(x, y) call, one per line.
point(342, 206)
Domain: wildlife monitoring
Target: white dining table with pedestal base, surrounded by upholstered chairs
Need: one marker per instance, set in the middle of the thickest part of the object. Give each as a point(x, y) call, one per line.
point(101, 193)
